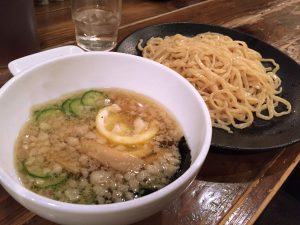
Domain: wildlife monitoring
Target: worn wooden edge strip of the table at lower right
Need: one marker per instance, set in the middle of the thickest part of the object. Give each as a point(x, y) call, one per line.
point(263, 188)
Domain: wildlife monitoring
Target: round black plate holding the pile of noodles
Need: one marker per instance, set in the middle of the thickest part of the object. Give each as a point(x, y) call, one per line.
point(262, 135)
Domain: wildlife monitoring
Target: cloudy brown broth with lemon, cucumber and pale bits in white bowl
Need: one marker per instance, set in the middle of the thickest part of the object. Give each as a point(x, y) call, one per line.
point(98, 147)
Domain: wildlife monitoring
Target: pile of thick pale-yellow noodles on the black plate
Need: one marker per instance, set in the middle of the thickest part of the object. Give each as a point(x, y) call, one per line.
point(230, 77)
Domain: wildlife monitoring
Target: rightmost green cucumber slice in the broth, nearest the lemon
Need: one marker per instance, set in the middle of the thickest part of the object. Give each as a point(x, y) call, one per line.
point(93, 98)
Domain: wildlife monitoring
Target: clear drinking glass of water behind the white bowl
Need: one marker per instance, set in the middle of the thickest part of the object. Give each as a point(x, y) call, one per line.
point(96, 23)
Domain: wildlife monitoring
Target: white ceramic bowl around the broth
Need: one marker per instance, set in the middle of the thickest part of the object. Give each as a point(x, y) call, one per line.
point(100, 70)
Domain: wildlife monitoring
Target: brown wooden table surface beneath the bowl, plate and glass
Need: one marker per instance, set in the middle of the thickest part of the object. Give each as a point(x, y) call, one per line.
point(232, 187)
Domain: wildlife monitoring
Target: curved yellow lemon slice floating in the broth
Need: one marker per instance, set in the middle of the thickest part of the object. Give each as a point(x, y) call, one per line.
point(129, 138)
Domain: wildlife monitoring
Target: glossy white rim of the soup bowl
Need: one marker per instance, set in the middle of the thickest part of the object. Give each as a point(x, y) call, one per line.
point(17, 188)
